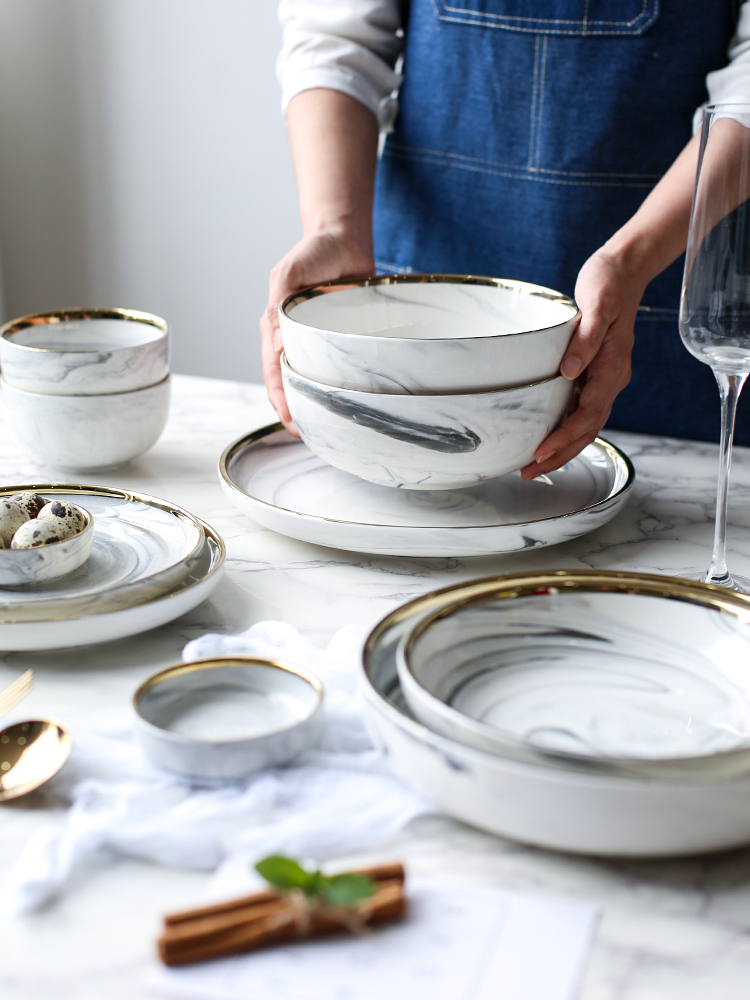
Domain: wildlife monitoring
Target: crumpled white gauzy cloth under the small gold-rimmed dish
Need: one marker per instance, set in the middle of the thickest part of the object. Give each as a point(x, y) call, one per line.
point(336, 799)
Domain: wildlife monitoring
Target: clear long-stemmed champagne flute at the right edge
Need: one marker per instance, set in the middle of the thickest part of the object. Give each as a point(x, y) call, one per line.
point(715, 301)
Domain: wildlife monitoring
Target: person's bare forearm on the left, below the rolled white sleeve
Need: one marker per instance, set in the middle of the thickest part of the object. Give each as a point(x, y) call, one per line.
point(334, 141)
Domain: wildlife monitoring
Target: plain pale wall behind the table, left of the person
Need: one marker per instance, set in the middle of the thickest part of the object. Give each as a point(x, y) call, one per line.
point(144, 163)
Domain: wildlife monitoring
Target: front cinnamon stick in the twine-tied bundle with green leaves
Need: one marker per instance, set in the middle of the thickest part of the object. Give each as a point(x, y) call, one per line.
point(258, 925)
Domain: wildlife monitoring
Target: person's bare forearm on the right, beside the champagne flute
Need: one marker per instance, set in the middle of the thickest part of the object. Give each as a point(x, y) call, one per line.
point(657, 234)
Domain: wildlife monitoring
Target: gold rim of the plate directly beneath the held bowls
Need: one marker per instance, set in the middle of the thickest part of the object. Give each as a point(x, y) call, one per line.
point(620, 461)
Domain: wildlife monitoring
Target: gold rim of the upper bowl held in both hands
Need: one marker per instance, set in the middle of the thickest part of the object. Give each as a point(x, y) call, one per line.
point(343, 284)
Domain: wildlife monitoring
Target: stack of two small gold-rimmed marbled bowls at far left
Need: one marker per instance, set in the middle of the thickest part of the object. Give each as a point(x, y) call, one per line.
point(86, 390)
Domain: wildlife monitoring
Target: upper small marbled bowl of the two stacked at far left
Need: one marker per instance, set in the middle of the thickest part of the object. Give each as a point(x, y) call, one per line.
point(84, 352)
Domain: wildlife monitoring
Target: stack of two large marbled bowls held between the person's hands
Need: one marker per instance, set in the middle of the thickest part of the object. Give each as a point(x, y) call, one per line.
point(423, 381)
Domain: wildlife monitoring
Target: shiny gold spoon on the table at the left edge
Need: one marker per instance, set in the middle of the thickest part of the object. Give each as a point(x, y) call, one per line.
point(30, 754)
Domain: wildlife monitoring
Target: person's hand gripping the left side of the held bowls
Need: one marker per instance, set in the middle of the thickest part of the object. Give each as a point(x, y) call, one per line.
point(321, 256)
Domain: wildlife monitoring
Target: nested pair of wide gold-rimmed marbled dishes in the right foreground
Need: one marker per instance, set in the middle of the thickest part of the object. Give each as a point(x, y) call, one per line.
point(606, 713)
